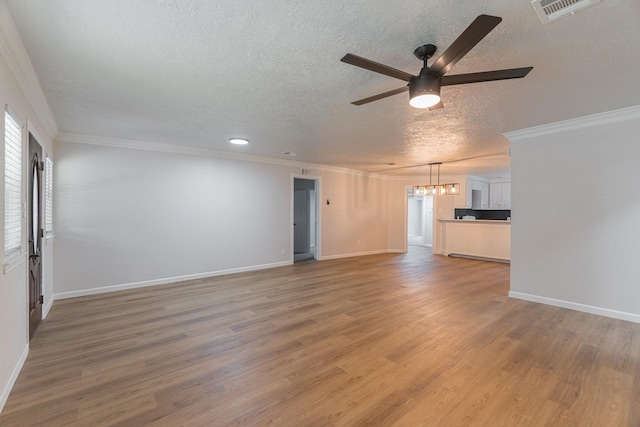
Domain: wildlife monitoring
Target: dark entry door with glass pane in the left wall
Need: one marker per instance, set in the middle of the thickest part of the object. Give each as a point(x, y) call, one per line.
point(35, 235)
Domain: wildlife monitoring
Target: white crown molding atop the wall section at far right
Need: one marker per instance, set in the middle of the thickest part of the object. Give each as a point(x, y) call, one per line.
point(599, 119)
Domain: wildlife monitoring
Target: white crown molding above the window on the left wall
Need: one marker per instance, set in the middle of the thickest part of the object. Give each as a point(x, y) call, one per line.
point(15, 55)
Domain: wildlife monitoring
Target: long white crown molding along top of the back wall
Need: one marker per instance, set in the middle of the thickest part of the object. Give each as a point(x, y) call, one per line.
point(194, 151)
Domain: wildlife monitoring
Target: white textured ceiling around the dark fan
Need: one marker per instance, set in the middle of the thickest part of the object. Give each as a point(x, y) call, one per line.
point(196, 72)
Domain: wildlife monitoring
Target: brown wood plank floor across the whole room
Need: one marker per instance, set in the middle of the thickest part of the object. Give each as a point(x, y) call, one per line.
point(391, 340)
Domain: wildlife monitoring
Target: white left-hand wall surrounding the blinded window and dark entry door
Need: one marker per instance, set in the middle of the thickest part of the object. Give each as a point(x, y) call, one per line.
point(20, 90)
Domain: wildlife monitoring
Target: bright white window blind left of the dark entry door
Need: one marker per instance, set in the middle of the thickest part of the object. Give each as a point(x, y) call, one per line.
point(12, 185)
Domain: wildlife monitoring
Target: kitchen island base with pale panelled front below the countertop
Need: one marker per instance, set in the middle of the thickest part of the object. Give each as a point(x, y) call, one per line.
point(489, 239)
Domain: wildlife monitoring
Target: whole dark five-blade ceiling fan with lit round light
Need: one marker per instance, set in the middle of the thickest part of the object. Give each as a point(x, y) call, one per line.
point(424, 89)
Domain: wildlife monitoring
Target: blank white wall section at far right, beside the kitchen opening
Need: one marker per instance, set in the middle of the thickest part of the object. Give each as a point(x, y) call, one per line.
point(576, 214)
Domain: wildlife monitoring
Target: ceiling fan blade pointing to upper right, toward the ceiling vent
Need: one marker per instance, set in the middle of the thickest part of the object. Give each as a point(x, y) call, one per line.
point(470, 37)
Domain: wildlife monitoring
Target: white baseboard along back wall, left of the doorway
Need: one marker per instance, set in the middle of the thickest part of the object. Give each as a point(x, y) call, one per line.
point(164, 281)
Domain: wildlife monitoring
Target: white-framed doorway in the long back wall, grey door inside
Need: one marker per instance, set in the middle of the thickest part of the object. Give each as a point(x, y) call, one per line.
point(305, 219)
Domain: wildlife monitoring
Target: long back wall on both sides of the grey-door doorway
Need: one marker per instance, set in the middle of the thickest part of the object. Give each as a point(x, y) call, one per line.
point(127, 217)
